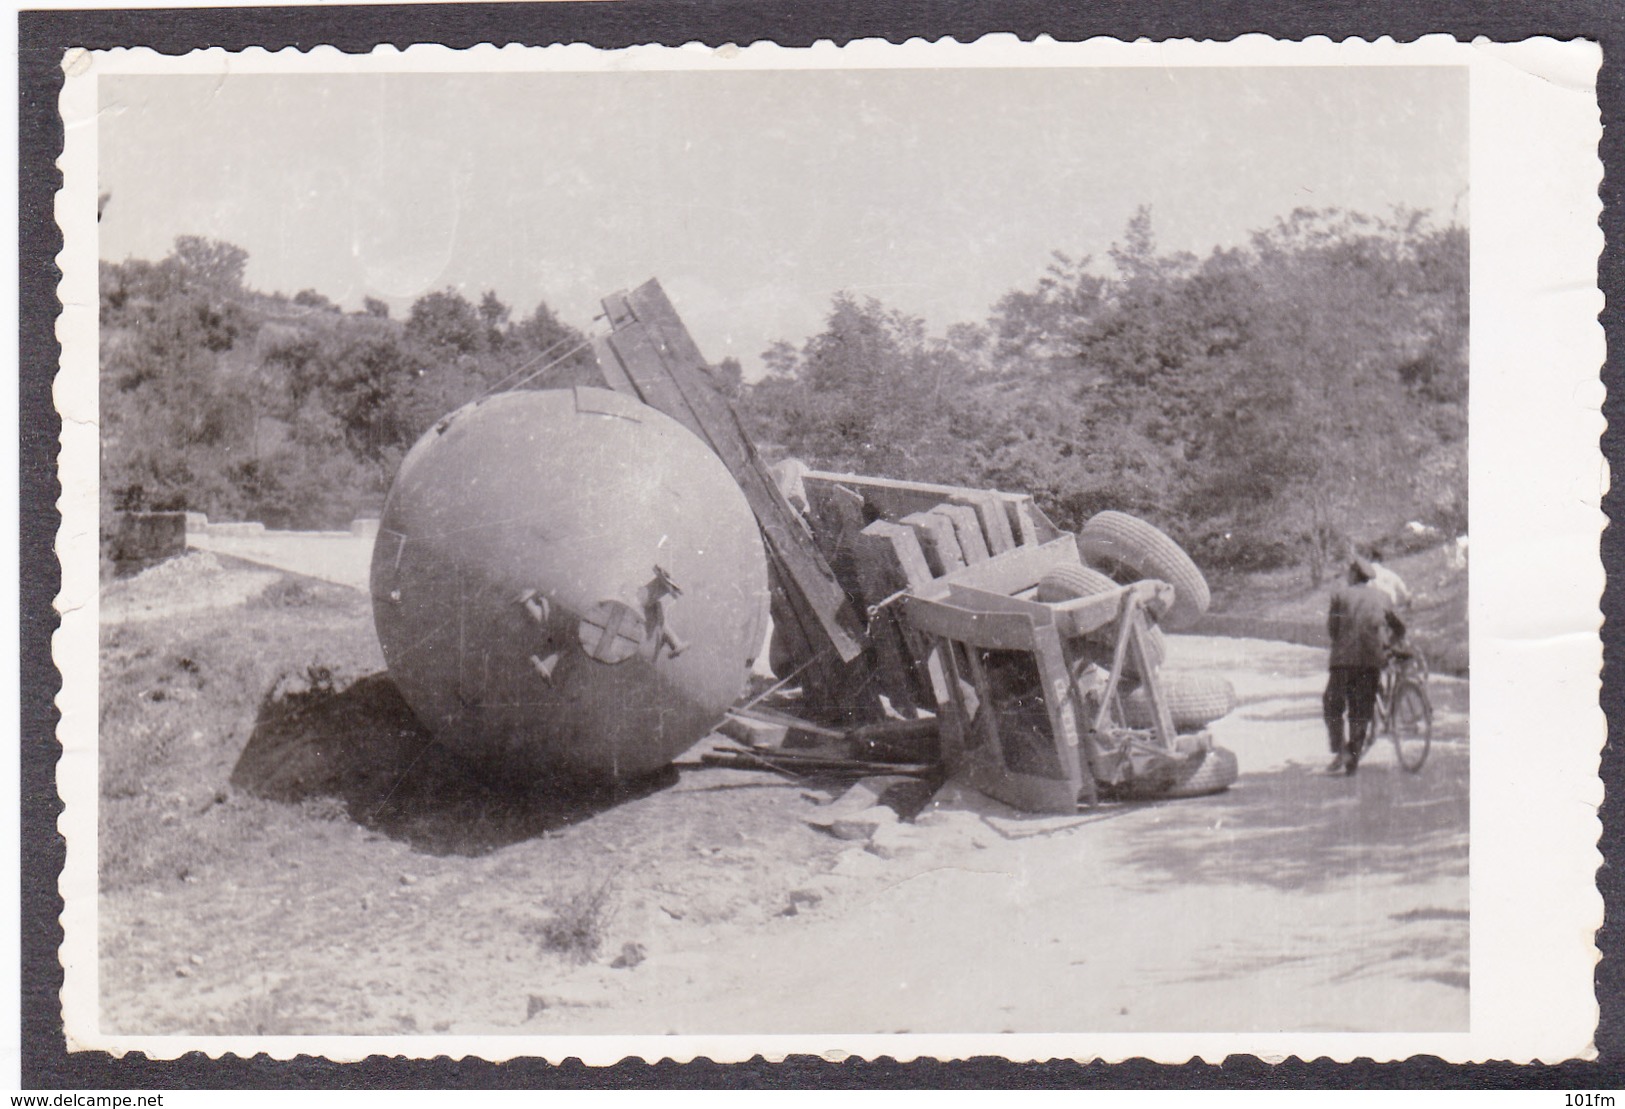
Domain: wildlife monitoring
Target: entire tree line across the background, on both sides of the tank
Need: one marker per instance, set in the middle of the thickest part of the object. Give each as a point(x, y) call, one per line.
point(1265, 406)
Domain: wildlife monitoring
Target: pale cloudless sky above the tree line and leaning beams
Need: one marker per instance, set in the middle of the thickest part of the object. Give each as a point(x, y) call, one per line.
point(755, 196)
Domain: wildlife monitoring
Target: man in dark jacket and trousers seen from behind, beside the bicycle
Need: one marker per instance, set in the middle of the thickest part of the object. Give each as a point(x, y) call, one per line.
point(1359, 625)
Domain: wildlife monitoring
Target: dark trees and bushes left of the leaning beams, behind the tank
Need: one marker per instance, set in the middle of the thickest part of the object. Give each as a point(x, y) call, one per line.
point(243, 406)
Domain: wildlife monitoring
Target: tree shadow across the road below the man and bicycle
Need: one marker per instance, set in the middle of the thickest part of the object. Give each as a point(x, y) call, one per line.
point(1304, 830)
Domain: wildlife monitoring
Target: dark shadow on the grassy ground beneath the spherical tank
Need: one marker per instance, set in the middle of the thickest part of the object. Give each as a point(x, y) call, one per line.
point(363, 747)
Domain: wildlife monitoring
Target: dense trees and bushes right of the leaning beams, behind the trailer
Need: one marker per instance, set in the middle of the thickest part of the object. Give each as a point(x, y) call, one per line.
point(1267, 406)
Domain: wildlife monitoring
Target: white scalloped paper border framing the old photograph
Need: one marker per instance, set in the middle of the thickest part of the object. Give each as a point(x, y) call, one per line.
point(1536, 578)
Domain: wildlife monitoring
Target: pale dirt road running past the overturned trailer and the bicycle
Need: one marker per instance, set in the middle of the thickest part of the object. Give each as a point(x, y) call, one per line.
point(1294, 902)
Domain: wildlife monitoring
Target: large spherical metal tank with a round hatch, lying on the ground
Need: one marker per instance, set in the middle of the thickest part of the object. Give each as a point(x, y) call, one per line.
point(568, 585)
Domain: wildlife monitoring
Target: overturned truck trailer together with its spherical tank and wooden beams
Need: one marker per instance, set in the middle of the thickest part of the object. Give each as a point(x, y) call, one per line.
point(574, 585)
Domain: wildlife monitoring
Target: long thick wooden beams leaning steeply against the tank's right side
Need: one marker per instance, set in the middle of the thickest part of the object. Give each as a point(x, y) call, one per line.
point(667, 372)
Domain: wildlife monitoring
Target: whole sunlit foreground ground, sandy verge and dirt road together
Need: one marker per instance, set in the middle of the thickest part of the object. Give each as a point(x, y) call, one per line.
point(1296, 902)
